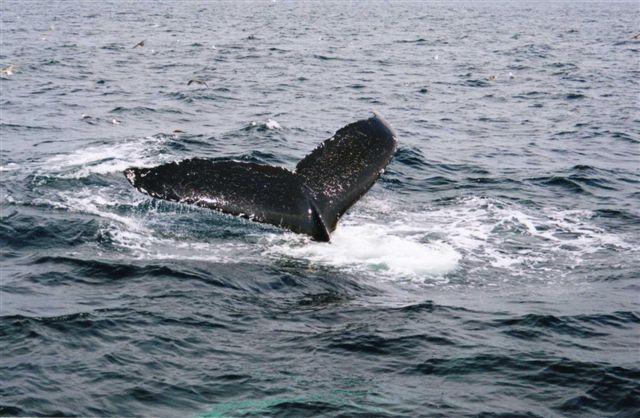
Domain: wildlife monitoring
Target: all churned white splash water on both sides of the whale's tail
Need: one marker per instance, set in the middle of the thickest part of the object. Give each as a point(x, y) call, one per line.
point(471, 238)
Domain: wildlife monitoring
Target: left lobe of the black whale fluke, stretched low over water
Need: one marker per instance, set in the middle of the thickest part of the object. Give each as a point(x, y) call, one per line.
point(261, 193)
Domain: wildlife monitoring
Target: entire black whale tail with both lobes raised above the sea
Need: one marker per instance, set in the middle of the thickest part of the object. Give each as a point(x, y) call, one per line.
point(308, 200)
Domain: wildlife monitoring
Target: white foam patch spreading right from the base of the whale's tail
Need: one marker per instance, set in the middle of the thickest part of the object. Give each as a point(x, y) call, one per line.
point(472, 233)
